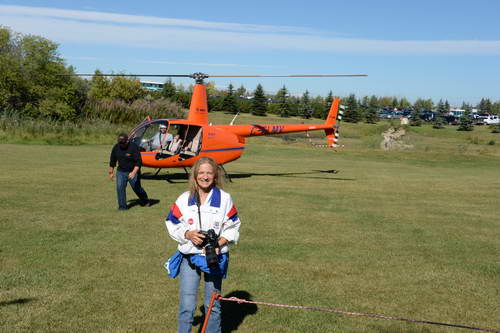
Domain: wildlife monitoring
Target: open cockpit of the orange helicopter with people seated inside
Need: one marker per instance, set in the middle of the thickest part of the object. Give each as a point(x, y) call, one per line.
point(168, 139)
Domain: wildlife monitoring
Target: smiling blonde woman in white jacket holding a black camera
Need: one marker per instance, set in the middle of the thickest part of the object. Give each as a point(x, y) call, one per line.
point(205, 206)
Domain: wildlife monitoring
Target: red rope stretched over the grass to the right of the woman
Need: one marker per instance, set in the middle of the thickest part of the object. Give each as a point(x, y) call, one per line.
point(239, 301)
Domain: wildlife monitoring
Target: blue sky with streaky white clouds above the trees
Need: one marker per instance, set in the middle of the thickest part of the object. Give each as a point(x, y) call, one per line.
point(428, 49)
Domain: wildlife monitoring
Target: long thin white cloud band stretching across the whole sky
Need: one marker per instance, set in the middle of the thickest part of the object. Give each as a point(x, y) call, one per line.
point(90, 27)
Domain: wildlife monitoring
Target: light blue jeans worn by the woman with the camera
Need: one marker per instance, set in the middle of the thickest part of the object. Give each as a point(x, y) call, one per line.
point(190, 278)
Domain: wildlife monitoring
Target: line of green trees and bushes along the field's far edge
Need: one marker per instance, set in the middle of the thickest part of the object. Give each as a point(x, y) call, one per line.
point(36, 82)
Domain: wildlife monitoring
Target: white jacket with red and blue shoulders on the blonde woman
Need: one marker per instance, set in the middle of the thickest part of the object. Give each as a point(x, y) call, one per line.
point(217, 212)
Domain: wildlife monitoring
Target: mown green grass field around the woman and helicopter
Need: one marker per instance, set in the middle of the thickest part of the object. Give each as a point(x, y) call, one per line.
point(411, 233)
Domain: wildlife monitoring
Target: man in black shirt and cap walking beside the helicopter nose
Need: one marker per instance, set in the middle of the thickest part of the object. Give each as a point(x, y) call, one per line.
point(129, 171)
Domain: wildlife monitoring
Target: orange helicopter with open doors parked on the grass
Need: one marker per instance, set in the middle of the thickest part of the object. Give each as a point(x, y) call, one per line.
point(185, 141)
